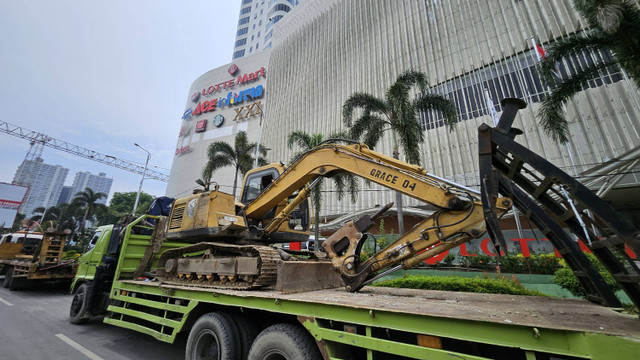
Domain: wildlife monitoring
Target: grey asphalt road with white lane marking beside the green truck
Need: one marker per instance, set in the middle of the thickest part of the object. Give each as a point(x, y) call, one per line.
point(34, 325)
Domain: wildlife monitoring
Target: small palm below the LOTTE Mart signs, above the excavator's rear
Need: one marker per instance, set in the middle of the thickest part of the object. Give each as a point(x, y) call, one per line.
point(221, 154)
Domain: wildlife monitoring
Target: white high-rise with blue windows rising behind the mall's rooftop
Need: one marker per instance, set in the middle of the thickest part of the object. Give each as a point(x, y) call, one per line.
point(255, 24)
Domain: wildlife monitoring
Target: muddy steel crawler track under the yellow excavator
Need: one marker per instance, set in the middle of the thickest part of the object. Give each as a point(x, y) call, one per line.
point(219, 266)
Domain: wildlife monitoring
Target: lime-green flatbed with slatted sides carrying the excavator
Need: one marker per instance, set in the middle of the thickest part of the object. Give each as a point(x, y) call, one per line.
point(375, 323)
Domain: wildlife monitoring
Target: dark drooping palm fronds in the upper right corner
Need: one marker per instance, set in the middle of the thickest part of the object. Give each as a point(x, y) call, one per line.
point(614, 26)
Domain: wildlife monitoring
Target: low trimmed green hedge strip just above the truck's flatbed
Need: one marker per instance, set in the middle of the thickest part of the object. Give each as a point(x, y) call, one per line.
point(449, 283)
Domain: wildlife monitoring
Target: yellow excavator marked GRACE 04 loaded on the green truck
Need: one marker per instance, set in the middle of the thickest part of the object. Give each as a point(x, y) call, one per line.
point(235, 236)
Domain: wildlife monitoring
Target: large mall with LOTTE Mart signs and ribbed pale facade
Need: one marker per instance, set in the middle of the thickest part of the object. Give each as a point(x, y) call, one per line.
point(323, 51)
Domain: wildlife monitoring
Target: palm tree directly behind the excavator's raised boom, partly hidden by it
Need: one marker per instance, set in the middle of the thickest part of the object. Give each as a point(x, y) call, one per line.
point(307, 142)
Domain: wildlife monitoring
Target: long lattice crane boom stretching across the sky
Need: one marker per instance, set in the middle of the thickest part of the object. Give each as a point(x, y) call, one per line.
point(34, 136)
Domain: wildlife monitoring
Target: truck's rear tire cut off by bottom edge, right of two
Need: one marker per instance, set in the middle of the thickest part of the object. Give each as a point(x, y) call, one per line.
point(284, 341)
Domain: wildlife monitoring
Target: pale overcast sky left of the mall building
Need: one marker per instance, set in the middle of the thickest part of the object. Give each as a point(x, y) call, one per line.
point(105, 75)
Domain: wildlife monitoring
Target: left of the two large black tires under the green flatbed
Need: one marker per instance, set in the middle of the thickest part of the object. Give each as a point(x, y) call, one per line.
point(213, 336)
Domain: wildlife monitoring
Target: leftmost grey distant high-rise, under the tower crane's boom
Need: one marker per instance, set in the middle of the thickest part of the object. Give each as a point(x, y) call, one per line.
point(45, 183)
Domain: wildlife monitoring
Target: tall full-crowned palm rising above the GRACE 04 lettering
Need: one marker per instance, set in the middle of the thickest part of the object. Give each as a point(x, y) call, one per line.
point(398, 112)
